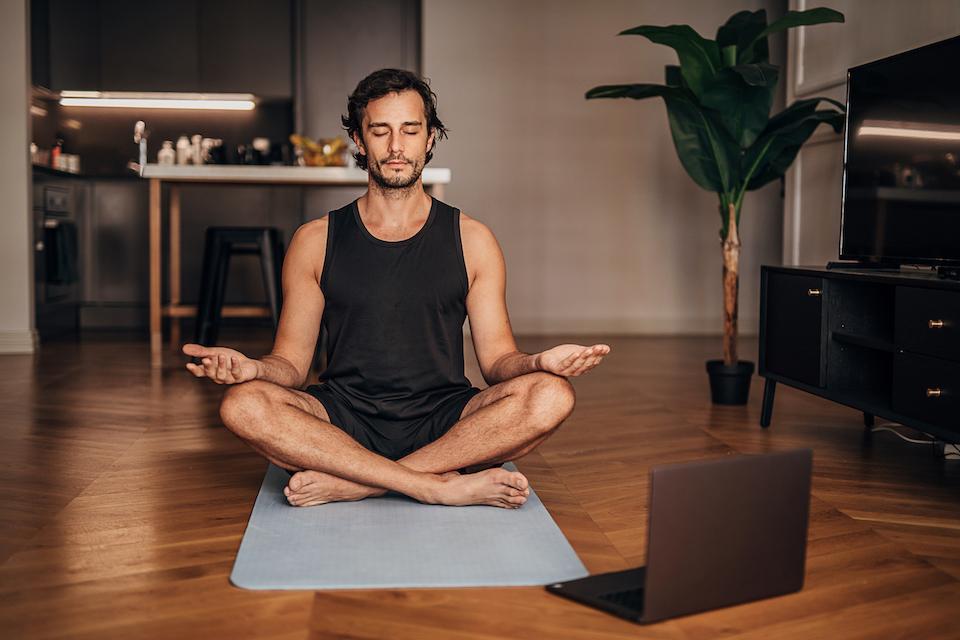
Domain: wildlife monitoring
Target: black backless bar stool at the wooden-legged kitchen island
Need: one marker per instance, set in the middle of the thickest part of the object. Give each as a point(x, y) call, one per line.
point(220, 244)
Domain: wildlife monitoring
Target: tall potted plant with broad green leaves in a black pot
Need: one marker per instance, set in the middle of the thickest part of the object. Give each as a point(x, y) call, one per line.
point(718, 103)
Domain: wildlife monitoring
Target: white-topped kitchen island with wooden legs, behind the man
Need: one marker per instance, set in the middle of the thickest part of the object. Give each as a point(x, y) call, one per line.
point(175, 175)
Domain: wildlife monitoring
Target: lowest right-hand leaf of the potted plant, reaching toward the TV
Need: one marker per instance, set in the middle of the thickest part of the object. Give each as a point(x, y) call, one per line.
point(775, 150)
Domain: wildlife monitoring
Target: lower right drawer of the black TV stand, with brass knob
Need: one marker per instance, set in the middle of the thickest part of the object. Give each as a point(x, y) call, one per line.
point(927, 389)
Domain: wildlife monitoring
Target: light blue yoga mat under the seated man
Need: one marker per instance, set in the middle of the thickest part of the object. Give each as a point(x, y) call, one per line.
point(396, 542)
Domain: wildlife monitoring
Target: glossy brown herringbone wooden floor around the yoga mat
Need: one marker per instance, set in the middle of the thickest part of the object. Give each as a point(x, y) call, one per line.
point(125, 500)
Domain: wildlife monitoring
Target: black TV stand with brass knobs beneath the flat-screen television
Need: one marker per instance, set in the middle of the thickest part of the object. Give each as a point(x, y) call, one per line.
point(885, 343)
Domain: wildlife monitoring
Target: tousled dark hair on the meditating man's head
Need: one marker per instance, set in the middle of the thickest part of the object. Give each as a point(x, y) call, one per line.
point(384, 82)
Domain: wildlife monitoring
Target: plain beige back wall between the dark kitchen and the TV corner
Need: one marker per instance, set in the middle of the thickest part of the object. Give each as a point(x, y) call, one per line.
point(602, 229)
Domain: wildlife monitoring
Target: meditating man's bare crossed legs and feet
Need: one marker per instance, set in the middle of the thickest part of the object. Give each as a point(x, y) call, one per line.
point(291, 428)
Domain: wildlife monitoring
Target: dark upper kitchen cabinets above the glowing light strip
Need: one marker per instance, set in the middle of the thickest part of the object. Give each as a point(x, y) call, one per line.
point(213, 46)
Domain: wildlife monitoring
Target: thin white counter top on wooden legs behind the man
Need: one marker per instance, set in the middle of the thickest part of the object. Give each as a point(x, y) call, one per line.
point(274, 174)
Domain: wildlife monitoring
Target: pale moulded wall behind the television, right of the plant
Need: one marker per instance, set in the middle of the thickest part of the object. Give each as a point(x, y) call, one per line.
point(818, 60)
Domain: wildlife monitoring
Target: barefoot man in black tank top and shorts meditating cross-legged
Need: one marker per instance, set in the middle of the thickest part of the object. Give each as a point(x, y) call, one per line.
point(392, 276)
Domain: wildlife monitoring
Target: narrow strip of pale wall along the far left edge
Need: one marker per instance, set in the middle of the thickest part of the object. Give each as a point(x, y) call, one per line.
point(16, 256)
